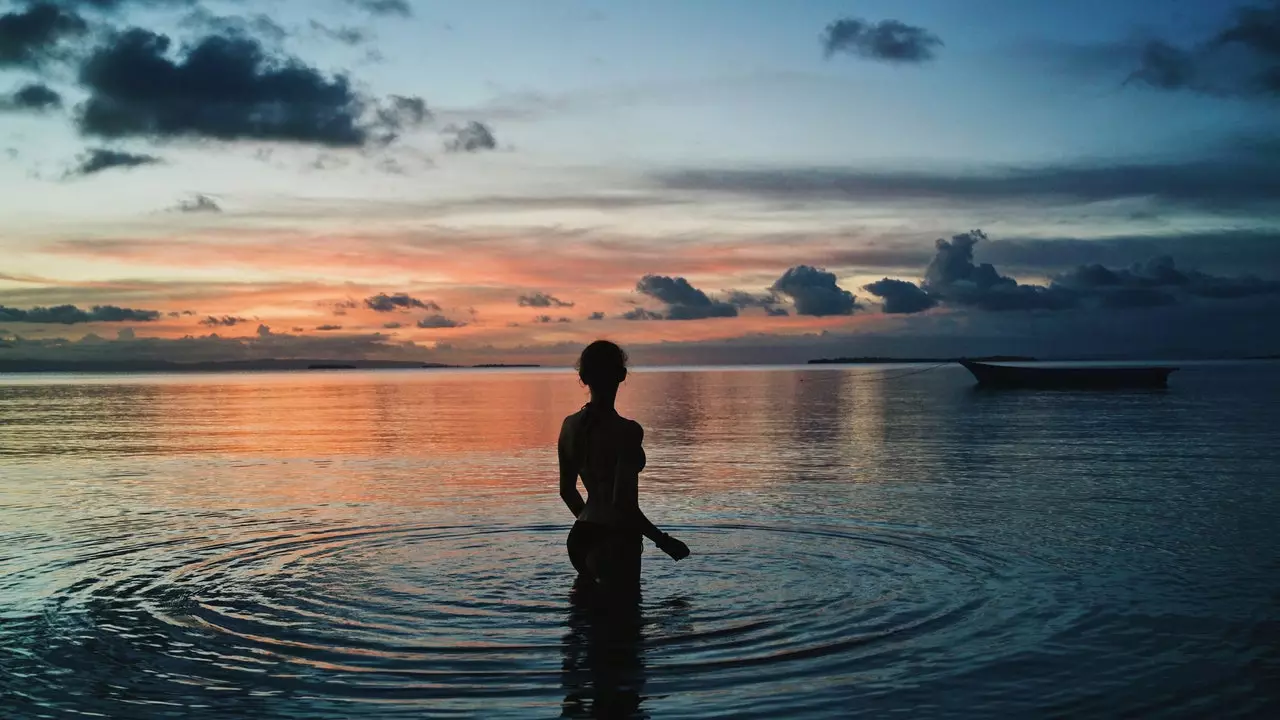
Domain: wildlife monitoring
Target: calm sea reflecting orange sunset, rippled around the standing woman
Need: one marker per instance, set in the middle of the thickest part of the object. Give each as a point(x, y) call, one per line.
point(866, 541)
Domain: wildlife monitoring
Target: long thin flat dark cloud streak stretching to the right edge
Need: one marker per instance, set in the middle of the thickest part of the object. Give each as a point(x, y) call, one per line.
point(1227, 181)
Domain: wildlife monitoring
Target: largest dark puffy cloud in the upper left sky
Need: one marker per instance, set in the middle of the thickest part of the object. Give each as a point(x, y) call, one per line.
point(223, 88)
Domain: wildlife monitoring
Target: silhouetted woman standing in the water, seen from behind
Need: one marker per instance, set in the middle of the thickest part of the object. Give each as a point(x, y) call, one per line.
point(606, 450)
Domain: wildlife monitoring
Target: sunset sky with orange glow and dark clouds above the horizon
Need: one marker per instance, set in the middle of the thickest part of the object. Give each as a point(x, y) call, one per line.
point(723, 181)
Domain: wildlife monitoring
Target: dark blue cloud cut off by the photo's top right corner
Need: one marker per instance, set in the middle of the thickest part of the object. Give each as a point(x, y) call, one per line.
point(1242, 60)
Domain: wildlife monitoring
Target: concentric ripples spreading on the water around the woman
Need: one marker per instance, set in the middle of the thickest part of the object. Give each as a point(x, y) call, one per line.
point(405, 618)
